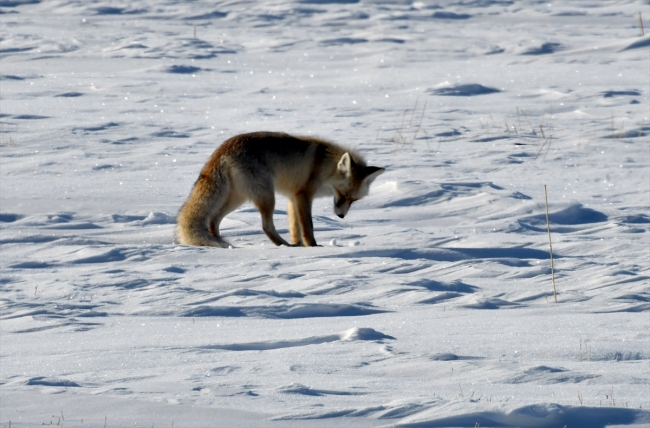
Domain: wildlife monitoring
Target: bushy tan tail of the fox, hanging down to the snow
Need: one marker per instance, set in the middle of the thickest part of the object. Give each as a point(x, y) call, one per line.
point(207, 198)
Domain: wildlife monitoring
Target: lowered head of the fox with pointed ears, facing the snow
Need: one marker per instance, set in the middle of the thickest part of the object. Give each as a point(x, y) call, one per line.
point(353, 183)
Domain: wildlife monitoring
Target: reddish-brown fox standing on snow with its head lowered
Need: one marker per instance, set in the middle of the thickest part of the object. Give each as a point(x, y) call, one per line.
point(254, 166)
